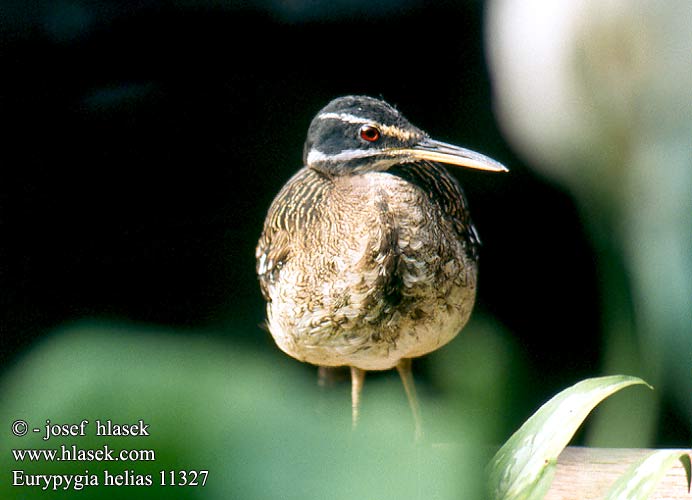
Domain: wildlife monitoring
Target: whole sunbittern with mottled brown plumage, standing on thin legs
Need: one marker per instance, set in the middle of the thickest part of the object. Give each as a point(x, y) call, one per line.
point(368, 257)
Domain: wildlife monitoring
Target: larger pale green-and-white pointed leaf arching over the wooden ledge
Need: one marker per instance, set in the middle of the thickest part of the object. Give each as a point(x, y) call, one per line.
point(525, 465)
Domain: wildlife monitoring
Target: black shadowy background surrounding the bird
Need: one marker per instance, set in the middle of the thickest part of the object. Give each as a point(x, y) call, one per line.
point(141, 147)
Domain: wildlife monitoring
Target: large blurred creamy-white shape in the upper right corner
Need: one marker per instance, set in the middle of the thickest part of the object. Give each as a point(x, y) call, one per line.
point(575, 79)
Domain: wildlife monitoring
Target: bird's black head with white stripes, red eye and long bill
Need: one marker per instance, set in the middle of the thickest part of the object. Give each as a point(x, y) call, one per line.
point(358, 134)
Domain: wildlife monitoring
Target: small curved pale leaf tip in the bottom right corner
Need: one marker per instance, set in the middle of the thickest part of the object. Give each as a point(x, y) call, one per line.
point(640, 480)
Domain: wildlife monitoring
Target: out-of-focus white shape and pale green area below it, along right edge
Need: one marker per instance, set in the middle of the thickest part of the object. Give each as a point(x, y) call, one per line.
point(597, 95)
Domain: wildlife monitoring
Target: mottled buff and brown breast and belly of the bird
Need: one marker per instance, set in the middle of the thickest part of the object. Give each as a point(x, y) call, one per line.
point(379, 274)
